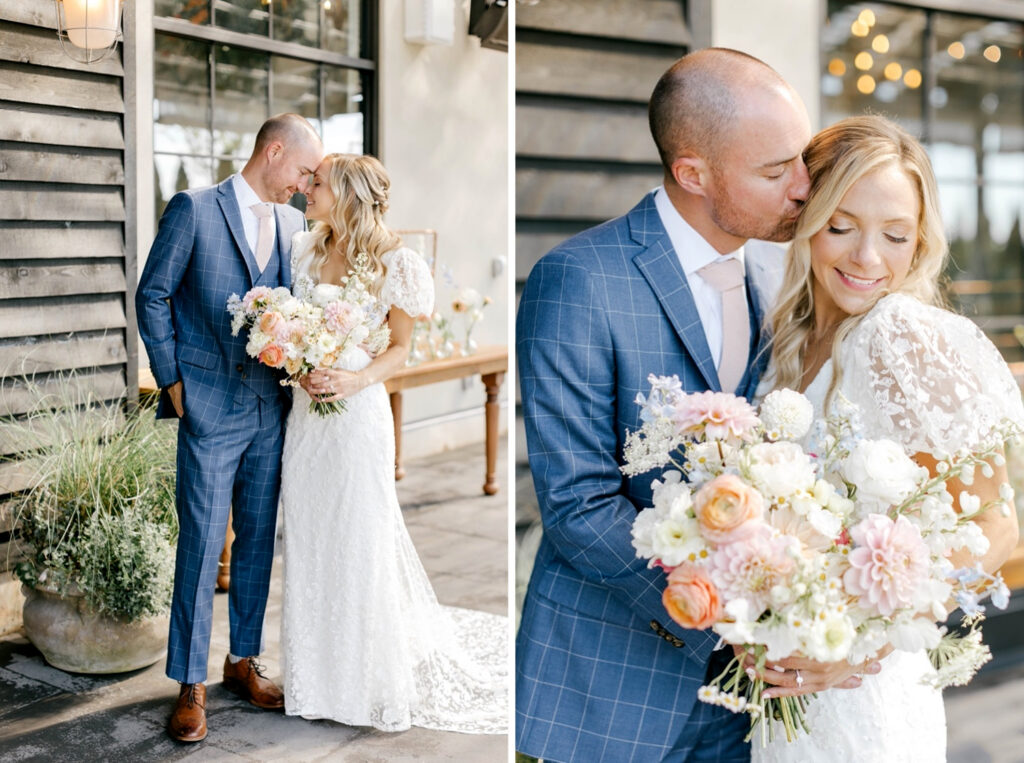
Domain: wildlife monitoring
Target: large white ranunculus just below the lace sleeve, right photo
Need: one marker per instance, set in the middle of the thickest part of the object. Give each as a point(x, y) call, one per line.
point(884, 475)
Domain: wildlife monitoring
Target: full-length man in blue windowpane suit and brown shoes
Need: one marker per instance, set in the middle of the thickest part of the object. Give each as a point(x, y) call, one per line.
point(215, 242)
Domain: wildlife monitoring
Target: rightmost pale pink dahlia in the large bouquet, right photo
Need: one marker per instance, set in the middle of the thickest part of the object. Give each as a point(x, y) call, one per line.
point(888, 564)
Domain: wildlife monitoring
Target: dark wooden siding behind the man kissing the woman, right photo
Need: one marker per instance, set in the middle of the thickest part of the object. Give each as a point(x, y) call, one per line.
point(585, 70)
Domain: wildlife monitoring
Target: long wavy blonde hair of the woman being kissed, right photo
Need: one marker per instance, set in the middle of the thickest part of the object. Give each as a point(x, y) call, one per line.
point(837, 158)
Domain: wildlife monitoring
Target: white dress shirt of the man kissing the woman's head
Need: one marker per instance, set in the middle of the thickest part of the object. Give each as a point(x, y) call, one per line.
point(695, 253)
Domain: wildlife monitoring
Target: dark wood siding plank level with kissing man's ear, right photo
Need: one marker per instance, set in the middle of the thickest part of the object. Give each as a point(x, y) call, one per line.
point(580, 195)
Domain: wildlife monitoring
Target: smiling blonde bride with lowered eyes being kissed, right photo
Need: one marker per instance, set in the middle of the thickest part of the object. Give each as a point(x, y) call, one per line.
point(858, 315)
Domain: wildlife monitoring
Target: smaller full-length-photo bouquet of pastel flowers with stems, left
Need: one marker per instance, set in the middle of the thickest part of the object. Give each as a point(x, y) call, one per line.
point(318, 327)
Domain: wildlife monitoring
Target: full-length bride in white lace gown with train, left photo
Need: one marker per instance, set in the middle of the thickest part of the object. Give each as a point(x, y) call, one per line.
point(364, 640)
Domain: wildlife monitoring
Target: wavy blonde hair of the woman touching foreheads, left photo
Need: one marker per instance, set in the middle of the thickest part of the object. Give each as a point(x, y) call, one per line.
point(356, 223)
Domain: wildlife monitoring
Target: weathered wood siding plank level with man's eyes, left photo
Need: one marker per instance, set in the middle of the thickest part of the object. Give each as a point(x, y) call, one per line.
point(82, 166)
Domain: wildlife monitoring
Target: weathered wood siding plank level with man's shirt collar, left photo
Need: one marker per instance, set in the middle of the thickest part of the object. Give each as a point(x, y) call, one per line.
point(34, 202)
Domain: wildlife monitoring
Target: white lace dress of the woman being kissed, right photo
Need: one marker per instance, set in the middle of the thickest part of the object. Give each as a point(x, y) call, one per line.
point(931, 381)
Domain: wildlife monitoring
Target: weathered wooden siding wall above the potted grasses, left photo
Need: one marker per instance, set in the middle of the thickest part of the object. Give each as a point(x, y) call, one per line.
point(65, 283)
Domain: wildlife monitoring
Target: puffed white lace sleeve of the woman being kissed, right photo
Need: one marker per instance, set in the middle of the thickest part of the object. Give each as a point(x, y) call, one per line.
point(927, 378)
